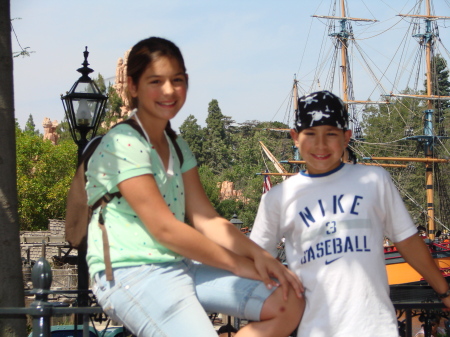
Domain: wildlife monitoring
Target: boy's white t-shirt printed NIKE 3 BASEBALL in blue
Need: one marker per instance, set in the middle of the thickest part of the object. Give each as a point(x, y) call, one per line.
point(334, 225)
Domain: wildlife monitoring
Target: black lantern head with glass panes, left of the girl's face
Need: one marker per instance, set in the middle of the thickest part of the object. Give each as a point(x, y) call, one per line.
point(84, 106)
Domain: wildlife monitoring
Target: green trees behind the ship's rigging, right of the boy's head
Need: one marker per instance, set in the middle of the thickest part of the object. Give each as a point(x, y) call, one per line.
point(391, 131)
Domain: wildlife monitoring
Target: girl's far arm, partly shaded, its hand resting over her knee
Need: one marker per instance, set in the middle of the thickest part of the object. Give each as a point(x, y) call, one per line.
point(206, 220)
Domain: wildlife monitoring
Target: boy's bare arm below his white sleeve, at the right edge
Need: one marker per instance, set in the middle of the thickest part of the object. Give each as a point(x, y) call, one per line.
point(416, 253)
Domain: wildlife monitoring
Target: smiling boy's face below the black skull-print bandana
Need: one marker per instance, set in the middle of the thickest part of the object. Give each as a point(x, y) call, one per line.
point(321, 147)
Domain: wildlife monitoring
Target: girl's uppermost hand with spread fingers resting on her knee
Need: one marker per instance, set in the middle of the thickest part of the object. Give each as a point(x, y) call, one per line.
point(269, 268)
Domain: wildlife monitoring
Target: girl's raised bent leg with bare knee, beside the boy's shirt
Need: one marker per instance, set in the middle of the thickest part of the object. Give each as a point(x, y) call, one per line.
point(221, 291)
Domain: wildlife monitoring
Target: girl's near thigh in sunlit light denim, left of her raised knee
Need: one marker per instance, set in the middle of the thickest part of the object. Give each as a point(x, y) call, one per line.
point(154, 301)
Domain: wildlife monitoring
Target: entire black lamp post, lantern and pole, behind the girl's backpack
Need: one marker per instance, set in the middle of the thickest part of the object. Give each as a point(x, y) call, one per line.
point(84, 106)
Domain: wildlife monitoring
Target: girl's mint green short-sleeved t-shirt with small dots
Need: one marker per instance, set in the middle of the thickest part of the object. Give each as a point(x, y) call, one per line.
point(122, 154)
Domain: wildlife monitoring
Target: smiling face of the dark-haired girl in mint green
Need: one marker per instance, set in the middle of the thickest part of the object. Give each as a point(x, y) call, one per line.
point(161, 90)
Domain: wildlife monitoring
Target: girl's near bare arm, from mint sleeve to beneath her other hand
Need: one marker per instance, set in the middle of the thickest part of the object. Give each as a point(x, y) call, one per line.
point(143, 196)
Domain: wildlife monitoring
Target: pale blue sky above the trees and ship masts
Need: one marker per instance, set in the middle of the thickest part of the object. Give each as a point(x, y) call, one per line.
point(244, 53)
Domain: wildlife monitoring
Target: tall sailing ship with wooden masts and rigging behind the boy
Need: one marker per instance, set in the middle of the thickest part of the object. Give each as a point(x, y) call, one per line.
point(430, 137)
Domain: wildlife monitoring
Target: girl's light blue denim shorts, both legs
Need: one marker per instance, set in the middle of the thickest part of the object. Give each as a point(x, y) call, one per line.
point(170, 299)
